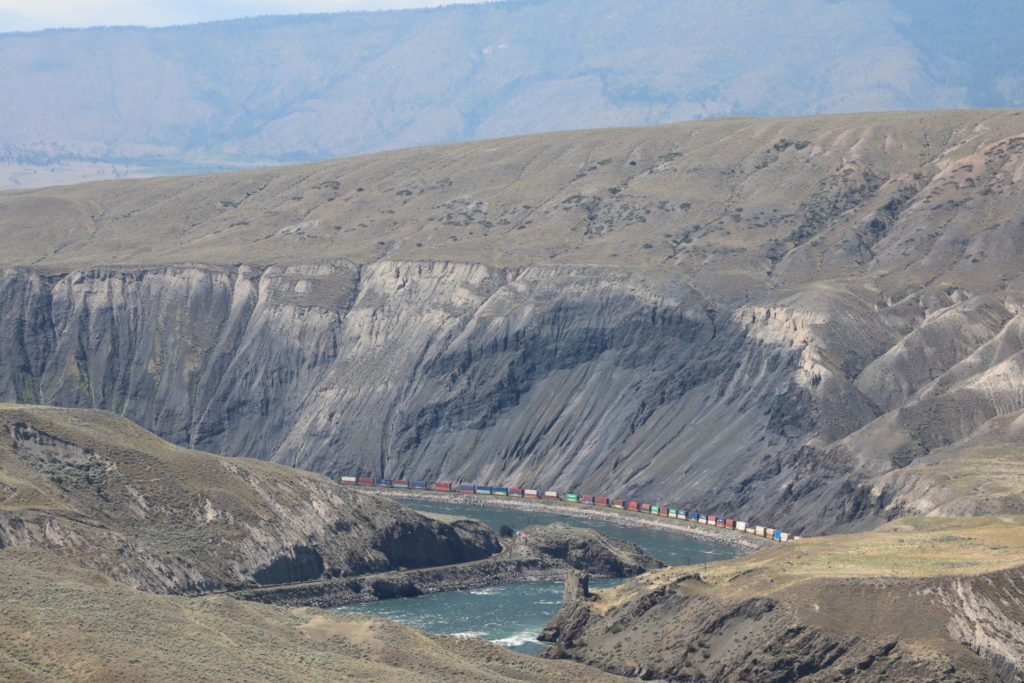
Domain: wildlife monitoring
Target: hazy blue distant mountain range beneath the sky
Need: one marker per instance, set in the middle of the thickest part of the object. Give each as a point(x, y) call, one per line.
point(108, 103)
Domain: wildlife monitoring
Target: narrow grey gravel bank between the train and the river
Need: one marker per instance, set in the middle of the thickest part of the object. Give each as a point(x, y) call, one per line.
point(621, 518)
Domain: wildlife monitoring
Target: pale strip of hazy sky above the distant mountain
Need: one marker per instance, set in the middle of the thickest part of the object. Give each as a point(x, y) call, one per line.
point(36, 15)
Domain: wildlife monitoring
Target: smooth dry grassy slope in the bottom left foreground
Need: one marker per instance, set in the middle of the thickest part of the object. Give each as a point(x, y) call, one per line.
point(62, 623)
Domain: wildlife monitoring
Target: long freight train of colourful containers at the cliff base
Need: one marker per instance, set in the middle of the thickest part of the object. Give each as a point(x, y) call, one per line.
point(598, 501)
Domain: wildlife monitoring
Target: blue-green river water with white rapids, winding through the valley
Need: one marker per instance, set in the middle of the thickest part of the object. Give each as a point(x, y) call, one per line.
point(513, 616)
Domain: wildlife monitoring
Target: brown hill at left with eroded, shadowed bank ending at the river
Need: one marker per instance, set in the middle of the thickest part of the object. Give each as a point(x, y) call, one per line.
point(108, 496)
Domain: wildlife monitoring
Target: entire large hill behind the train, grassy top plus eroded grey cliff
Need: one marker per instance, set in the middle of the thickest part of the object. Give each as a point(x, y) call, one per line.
point(808, 323)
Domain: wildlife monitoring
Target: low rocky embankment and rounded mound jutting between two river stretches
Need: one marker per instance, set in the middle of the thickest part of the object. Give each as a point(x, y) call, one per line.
point(536, 553)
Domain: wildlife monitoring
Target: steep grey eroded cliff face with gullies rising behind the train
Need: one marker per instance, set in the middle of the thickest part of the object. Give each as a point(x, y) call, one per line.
point(557, 377)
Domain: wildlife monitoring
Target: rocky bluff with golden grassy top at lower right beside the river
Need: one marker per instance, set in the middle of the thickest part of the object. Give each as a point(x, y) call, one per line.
point(860, 615)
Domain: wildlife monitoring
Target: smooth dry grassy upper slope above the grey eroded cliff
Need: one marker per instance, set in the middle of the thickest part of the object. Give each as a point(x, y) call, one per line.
point(804, 200)
